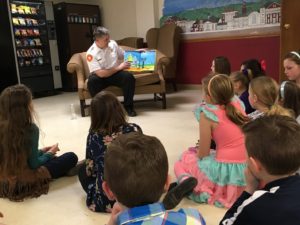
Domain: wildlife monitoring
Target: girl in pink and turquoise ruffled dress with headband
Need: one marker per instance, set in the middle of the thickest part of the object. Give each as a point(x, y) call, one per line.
point(220, 172)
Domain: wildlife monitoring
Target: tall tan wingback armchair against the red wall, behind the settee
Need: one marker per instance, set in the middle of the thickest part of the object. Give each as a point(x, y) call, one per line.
point(166, 40)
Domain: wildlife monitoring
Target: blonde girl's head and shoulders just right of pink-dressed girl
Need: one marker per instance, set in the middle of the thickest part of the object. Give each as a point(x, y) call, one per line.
point(263, 96)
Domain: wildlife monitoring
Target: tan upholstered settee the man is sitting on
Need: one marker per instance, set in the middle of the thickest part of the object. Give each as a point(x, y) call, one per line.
point(146, 83)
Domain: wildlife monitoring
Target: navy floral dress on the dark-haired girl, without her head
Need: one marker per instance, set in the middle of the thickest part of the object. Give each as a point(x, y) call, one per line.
point(97, 143)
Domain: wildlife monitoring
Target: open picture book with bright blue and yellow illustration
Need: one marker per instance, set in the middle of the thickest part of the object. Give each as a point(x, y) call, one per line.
point(141, 60)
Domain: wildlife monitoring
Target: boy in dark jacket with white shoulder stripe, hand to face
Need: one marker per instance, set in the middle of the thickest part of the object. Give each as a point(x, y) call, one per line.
point(273, 148)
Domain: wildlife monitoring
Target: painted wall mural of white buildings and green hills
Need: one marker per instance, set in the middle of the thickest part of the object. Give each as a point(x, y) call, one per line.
point(221, 15)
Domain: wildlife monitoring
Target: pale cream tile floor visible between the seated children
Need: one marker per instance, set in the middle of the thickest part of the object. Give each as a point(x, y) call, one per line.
point(65, 202)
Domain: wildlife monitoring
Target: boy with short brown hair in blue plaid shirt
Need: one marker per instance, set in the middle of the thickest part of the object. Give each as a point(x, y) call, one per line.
point(136, 175)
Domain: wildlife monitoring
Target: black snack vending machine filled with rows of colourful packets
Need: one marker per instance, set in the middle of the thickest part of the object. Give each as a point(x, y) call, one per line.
point(24, 26)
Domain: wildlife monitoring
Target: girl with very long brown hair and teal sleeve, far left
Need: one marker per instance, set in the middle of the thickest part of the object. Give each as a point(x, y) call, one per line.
point(25, 170)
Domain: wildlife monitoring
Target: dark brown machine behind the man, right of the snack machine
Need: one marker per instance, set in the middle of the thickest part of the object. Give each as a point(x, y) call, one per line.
point(74, 25)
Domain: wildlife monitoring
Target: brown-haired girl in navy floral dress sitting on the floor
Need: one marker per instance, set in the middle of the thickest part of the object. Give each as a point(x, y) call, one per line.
point(108, 120)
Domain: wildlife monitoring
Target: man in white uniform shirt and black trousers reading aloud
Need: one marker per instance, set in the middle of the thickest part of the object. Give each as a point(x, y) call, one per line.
point(107, 68)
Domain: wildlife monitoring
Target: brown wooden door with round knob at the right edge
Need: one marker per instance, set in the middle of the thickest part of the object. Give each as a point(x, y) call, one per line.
point(289, 30)
